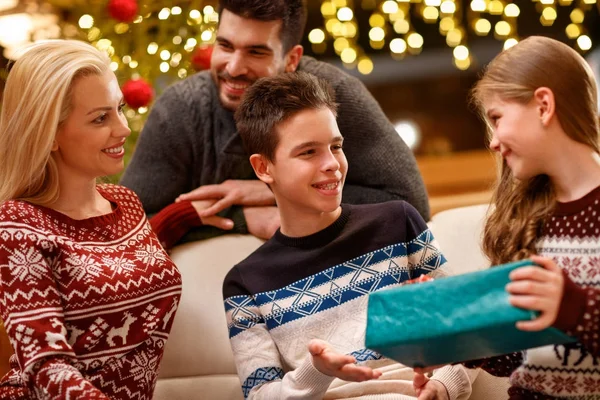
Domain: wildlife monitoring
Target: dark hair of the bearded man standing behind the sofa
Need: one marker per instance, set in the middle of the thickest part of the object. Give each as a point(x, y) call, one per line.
point(292, 13)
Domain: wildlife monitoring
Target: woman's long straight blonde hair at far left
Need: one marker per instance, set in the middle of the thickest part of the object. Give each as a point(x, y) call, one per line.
point(36, 101)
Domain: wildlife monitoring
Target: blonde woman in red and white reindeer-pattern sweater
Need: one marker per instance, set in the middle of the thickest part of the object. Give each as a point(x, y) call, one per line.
point(87, 294)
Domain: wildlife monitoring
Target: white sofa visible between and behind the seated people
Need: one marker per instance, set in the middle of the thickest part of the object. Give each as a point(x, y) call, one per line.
point(198, 363)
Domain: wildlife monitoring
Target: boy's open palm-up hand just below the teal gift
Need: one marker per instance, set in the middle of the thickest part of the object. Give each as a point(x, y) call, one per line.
point(331, 363)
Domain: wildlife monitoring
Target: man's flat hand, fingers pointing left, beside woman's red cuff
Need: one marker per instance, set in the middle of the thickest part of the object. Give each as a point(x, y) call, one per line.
point(231, 192)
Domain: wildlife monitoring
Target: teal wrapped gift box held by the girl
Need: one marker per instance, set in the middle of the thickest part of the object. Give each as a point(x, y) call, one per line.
point(454, 319)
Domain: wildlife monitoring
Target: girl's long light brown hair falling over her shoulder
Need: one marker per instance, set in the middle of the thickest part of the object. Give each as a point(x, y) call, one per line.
point(522, 207)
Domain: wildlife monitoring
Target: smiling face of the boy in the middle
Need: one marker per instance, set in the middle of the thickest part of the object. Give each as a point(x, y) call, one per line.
point(308, 172)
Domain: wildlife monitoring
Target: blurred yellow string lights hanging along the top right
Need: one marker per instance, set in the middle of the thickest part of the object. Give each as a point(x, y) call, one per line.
point(390, 25)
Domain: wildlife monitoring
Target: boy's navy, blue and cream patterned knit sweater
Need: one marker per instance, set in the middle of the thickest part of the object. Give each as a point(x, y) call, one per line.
point(292, 290)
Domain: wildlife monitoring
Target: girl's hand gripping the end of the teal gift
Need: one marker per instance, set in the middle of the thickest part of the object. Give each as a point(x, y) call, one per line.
point(539, 289)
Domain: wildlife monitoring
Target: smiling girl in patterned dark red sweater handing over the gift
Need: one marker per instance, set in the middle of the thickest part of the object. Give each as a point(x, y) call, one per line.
point(539, 99)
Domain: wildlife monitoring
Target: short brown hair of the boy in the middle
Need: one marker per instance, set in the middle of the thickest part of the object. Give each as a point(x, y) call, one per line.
point(271, 101)
